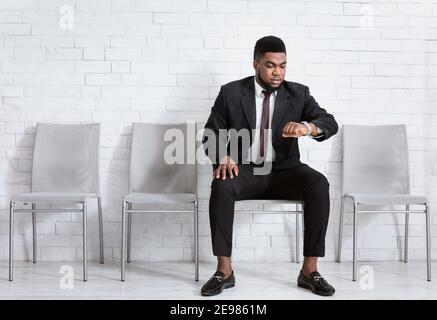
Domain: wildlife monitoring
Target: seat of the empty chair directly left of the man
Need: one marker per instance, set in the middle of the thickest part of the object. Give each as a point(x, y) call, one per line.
point(150, 198)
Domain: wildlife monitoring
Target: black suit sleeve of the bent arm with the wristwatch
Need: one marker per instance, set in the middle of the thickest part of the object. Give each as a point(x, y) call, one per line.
point(313, 113)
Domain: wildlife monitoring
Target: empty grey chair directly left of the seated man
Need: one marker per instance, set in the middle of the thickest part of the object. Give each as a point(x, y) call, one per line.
point(153, 181)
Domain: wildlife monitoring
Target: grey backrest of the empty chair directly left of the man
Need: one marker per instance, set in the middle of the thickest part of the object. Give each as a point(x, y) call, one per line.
point(149, 171)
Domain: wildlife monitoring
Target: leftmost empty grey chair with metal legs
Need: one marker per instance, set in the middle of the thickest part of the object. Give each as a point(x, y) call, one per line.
point(65, 170)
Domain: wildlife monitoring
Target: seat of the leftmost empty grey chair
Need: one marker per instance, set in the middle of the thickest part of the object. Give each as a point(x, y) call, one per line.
point(52, 197)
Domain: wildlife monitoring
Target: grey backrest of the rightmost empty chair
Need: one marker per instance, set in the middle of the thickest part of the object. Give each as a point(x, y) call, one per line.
point(375, 159)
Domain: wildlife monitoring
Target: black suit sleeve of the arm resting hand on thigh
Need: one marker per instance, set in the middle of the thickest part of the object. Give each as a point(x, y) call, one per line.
point(215, 135)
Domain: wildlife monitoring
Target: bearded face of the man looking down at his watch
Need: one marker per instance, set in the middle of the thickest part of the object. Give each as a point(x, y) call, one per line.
point(271, 68)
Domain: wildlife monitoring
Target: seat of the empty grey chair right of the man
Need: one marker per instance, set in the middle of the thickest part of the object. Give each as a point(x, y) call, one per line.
point(387, 199)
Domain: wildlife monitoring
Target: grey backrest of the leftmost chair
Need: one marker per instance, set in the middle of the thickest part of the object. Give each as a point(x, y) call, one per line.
point(66, 158)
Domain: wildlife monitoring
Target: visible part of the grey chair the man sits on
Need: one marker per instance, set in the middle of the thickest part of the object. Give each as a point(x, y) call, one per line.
point(268, 202)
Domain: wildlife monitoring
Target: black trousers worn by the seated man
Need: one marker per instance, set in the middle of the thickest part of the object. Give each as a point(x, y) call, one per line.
point(299, 183)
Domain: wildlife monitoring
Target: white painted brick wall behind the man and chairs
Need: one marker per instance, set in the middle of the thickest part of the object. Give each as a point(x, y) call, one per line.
point(368, 62)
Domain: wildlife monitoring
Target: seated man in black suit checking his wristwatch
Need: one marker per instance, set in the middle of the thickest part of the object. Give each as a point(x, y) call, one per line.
point(262, 118)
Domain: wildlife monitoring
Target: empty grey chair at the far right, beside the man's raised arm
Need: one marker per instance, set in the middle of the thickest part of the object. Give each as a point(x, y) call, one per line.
point(376, 172)
